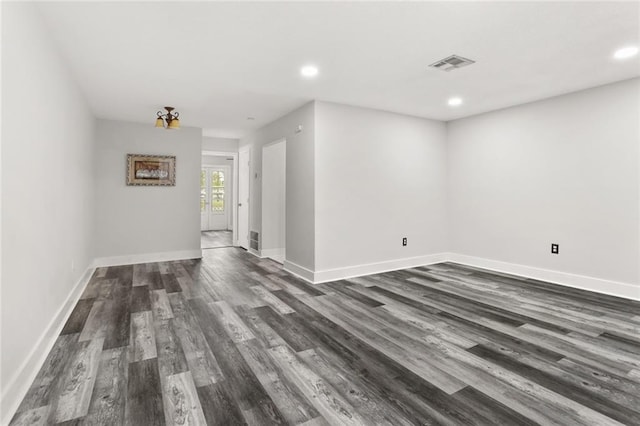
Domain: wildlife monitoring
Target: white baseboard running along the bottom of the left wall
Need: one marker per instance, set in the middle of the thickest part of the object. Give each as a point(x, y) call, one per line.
point(19, 383)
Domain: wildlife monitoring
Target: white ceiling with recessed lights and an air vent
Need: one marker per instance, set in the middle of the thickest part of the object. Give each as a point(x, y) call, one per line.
point(219, 63)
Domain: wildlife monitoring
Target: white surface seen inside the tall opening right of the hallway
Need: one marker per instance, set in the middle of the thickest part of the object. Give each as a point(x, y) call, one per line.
point(274, 199)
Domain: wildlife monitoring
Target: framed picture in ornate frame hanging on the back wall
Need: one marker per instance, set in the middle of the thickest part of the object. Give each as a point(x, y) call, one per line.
point(151, 170)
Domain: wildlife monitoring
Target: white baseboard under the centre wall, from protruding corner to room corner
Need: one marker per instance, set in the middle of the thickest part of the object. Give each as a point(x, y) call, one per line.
point(376, 268)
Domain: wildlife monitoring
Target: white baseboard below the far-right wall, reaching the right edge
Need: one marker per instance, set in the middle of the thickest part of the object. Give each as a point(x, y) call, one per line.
point(611, 288)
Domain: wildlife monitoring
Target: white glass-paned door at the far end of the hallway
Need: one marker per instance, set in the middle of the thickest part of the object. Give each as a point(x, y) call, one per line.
point(214, 208)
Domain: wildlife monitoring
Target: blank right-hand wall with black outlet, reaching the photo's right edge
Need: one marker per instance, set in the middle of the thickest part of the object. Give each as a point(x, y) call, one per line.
point(562, 170)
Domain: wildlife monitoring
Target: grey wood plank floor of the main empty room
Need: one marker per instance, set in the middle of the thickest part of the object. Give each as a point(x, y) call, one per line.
point(234, 340)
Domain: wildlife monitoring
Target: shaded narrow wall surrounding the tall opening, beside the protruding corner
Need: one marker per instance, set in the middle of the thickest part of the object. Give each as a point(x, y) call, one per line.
point(300, 229)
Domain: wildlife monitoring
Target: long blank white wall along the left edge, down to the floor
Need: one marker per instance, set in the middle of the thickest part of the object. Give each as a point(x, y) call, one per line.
point(47, 194)
